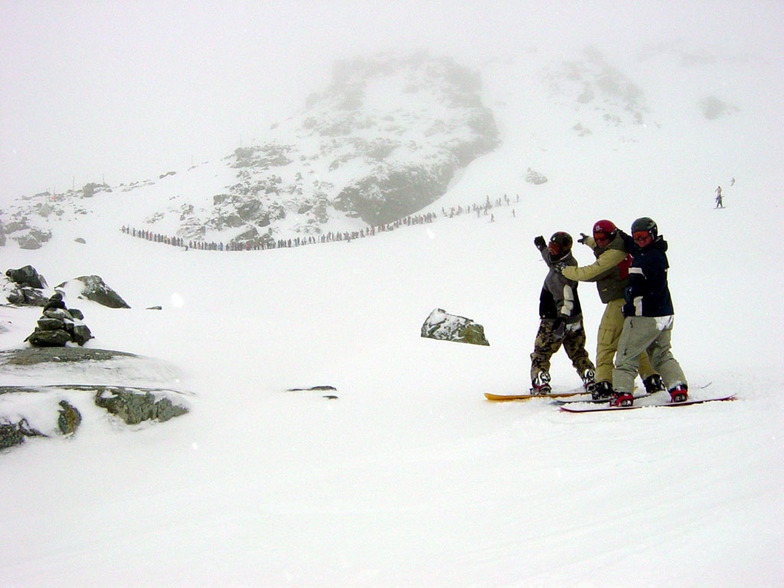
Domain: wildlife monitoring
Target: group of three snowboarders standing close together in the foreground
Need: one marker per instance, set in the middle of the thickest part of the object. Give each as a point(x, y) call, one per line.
point(630, 272)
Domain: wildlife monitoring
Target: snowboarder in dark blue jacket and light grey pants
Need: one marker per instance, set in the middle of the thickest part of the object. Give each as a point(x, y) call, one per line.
point(649, 318)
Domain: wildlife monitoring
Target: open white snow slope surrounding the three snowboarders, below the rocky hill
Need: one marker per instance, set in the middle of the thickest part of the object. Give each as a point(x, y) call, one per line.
point(411, 478)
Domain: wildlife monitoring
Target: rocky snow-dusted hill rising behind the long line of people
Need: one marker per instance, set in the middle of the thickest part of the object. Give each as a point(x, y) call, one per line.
point(382, 141)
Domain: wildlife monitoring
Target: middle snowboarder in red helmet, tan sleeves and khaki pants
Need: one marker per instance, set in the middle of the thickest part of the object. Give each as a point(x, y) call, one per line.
point(610, 271)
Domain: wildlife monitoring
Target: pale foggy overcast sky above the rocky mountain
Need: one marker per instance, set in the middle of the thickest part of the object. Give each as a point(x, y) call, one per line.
point(119, 91)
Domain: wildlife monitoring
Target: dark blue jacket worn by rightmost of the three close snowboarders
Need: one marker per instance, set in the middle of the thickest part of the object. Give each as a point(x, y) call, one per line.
point(648, 293)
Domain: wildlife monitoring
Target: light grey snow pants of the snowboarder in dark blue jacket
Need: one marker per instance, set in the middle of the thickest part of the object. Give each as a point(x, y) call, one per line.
point(651, 335)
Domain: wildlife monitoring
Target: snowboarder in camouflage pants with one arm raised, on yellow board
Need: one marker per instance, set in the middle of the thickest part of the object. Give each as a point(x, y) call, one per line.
point(561, 319)
